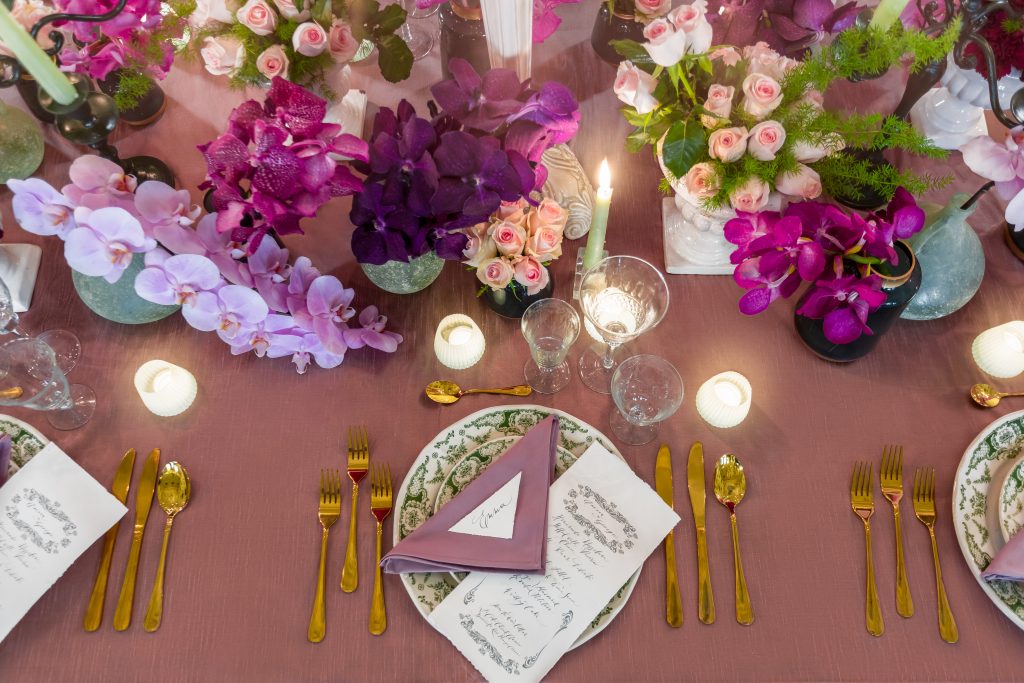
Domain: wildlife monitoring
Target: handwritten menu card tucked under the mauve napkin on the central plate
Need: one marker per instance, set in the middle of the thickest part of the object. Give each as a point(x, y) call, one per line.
point(604, 522)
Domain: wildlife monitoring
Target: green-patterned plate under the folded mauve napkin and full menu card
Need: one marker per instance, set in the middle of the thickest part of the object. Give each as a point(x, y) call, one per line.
point(419, 492)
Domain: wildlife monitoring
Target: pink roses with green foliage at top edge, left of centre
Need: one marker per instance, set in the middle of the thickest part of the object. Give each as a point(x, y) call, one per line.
point(301, 40)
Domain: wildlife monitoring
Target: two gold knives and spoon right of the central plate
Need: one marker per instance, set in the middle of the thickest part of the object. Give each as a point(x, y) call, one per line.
point(730, 487)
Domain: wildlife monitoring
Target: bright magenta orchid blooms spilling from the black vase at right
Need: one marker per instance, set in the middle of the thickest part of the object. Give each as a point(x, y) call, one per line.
point(838, 253)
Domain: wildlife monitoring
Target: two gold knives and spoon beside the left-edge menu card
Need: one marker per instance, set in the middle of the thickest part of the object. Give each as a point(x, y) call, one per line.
point(173, 490)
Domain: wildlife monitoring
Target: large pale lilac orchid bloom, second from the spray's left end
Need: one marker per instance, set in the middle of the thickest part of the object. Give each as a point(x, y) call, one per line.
point(105, 242)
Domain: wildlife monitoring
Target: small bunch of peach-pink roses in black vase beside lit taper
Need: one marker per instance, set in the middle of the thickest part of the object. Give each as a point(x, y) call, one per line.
point(511, 253)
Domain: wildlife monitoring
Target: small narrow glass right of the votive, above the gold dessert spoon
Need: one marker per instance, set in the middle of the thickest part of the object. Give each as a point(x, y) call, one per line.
point(550, 327)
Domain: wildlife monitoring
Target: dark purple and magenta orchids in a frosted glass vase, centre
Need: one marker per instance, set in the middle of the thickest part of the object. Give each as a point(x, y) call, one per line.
point(429, 180)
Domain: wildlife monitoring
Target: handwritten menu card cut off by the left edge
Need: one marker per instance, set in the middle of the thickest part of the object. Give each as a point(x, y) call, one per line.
point(51, 513)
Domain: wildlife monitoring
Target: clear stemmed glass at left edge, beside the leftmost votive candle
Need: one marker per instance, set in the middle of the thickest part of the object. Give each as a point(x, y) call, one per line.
point(30, 377)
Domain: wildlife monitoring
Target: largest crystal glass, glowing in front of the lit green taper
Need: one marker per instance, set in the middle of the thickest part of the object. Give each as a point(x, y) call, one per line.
point(622, 297)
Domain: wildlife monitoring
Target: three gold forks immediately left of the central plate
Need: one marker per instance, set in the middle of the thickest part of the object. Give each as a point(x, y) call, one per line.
point(329, 513)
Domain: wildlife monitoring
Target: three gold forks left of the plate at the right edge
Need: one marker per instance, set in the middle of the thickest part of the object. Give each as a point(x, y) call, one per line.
point(863, 502)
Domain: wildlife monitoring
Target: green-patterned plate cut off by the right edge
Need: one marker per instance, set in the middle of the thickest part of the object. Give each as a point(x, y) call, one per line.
point(976, 502)
